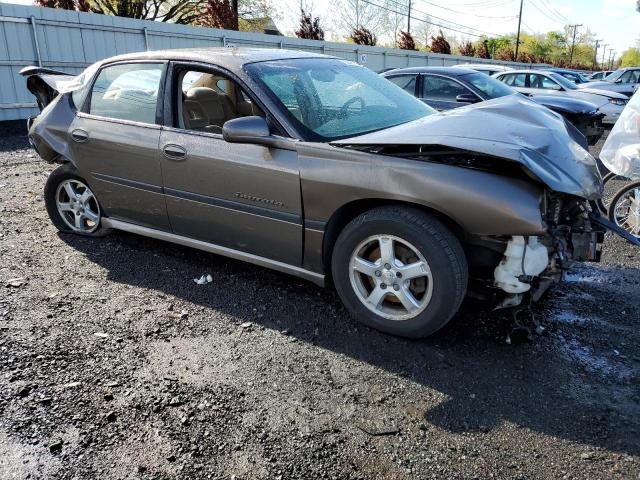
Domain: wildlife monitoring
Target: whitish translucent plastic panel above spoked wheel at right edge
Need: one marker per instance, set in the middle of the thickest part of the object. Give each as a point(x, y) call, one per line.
point(621, 151)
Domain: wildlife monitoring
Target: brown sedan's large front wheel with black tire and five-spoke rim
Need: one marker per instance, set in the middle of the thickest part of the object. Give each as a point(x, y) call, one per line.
point(400, 270)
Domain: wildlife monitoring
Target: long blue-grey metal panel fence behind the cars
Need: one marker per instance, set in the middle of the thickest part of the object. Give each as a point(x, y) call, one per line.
point(69, 41)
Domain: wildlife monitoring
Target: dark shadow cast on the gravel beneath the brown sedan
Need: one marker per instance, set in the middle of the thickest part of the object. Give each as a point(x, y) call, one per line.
point(487, 381)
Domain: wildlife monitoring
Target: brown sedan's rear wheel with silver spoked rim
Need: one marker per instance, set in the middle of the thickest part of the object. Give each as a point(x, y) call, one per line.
point(71, 205)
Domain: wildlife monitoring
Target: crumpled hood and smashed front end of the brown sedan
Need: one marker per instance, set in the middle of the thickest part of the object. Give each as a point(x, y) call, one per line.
point(514, 138)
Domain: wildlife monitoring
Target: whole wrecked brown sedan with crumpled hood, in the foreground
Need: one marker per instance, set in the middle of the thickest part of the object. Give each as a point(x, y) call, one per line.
point(321, 168)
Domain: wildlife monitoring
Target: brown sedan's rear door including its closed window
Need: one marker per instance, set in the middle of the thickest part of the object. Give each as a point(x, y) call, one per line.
point(115, 142)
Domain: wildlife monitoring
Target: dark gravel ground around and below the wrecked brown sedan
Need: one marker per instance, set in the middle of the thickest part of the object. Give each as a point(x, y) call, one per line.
point(115, 364)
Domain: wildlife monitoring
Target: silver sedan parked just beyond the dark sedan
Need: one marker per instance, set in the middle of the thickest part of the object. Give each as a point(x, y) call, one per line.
point(531, 82)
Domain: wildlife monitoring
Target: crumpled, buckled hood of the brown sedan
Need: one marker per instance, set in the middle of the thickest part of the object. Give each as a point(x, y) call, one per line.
point(513, 128)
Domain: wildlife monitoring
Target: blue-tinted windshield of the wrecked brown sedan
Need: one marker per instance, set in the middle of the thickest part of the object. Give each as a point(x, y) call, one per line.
point(329, 99)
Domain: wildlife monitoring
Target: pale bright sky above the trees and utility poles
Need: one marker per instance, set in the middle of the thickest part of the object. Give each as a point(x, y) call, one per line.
point(615, 22)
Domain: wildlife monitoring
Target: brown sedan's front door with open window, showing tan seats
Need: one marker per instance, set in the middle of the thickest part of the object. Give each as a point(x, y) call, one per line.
point(242, 196)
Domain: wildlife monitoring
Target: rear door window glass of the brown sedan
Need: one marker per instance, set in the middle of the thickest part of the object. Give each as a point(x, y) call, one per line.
point(127, 92)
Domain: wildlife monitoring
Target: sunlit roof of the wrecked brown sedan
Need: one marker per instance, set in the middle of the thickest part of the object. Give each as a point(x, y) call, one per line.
point(226, 57)
